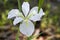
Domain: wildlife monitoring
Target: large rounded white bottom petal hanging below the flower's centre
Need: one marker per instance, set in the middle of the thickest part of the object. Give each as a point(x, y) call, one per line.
point(27, 29)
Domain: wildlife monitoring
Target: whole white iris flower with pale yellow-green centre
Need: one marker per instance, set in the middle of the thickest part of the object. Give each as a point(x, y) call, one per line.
point(26, 27)
